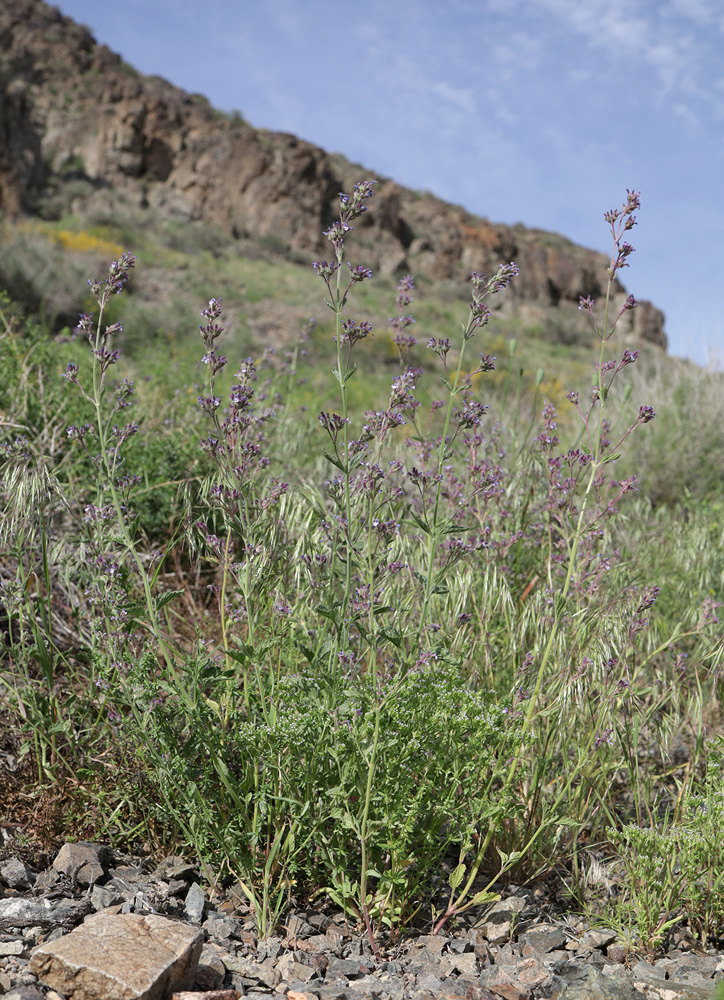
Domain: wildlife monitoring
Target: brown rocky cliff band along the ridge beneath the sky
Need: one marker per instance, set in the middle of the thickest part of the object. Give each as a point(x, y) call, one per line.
point(71, 108)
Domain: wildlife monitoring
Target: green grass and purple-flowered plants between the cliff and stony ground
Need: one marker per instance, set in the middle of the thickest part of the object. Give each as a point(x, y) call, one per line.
point(381, 644)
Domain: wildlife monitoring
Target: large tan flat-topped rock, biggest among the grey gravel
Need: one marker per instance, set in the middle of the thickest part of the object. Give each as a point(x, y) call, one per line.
point(120, 957)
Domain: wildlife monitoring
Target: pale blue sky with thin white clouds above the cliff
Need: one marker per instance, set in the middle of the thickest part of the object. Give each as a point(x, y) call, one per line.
point(535, 111)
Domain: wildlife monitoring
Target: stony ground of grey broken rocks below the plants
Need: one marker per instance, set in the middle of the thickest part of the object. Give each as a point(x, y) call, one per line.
point(51, 923)
